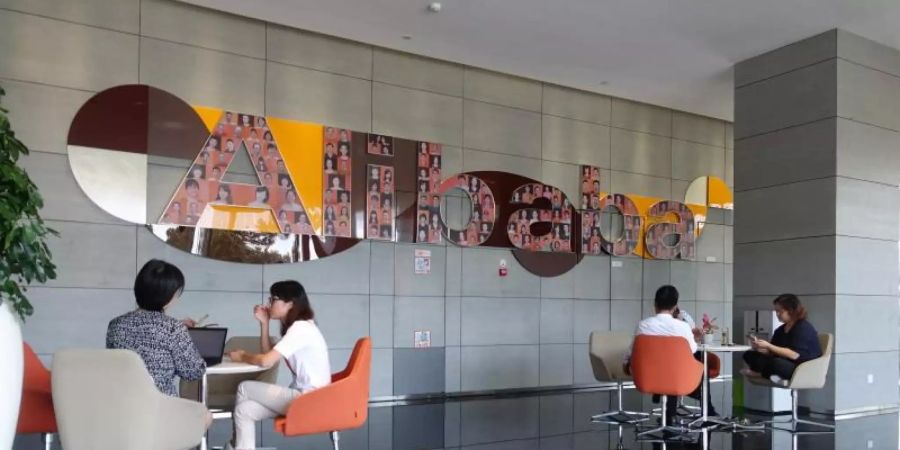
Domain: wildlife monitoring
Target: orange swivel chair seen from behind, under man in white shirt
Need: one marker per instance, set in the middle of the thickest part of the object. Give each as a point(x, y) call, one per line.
point(664, 365)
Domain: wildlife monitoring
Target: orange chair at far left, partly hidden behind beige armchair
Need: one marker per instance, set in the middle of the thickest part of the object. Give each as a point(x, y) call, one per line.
point(36, 410)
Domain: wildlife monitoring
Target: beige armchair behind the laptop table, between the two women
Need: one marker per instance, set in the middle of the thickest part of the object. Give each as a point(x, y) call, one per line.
point(221, 389)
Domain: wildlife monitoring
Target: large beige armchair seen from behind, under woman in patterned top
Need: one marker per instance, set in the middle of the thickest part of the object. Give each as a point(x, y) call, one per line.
point(106, 400)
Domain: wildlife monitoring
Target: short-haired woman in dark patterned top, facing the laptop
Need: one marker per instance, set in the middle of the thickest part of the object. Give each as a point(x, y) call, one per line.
point(160, 340)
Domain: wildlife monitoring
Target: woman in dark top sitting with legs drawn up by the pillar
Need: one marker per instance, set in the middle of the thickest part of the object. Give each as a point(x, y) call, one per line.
point(793, 343)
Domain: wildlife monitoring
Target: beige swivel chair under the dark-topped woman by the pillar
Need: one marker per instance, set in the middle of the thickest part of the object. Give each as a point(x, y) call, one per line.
point(808, 375)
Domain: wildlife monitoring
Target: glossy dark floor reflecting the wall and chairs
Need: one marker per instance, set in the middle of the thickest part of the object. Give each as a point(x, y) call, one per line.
point(554, 422)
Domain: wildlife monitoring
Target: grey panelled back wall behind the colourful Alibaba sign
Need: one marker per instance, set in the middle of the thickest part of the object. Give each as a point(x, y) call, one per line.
point(488, 333)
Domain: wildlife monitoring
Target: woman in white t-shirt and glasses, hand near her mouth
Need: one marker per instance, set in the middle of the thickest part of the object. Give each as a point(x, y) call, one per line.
point(303, 349)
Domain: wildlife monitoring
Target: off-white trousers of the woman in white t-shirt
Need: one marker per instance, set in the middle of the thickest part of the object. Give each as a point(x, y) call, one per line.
point(257, 401)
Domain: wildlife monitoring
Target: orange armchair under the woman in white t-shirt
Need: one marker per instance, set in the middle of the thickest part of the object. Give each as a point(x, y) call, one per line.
point(342, 405)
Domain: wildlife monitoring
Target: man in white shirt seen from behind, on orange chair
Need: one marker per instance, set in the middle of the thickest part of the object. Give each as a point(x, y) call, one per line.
point(665, 324)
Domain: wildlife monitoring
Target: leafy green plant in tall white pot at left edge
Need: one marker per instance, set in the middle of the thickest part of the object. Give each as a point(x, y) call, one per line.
point(24, 259)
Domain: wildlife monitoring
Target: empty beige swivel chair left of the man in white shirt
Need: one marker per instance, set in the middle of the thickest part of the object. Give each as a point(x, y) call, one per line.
point(607, 352)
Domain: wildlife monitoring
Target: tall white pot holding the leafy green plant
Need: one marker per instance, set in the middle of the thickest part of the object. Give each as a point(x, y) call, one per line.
point(11, 371)
